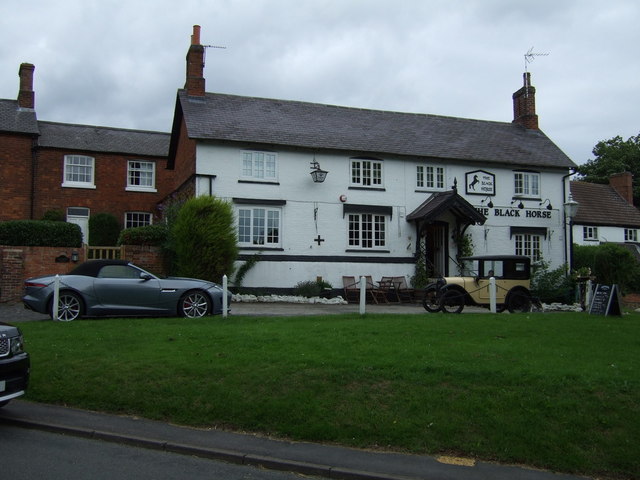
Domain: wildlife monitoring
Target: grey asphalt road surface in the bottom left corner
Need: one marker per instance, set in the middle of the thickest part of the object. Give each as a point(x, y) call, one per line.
point(27, 454)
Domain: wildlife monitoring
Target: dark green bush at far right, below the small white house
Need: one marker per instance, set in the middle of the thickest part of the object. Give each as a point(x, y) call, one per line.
point(610, 264)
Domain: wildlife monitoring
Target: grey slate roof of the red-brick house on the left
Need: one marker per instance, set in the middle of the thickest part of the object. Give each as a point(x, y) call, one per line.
point(103, 139)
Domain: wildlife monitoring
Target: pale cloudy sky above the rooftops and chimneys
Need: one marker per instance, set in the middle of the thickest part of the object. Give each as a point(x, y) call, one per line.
point(120, 63)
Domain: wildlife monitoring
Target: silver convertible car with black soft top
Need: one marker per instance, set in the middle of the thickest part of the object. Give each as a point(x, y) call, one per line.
point(118, 288)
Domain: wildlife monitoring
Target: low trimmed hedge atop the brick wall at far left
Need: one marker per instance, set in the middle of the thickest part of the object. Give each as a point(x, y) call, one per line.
point(40, 233)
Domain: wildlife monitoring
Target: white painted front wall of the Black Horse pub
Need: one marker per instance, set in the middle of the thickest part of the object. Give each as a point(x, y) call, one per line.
point(299, 229)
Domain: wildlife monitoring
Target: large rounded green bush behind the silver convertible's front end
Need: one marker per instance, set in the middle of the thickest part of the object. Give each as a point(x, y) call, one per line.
point(204, 239)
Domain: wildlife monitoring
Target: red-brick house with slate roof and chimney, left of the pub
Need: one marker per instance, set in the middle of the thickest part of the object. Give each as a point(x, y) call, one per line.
point(79, 170)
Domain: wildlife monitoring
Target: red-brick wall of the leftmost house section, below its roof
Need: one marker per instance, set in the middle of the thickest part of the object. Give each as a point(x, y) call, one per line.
point(15, 176)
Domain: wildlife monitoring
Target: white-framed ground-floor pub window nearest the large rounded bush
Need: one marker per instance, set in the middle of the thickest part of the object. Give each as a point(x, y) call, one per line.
point(259, 227)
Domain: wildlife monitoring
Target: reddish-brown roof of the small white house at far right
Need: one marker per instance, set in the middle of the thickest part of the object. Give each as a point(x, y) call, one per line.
point(602, 205)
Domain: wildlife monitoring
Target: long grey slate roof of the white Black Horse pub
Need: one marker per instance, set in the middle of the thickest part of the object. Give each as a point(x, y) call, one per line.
point(222, 117)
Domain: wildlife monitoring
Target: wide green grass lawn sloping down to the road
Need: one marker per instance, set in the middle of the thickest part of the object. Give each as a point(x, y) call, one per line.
point(555, 391)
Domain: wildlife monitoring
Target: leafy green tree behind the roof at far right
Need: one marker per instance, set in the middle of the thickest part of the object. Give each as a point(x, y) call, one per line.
point(614, 156)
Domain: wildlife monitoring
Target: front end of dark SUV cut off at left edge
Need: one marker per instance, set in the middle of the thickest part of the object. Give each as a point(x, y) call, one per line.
point(14, 364)
